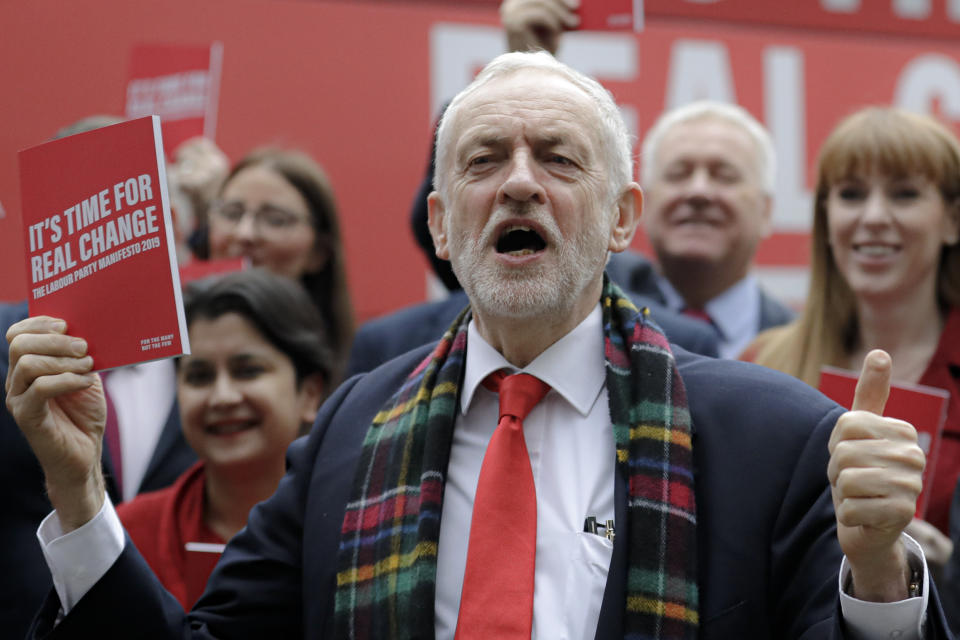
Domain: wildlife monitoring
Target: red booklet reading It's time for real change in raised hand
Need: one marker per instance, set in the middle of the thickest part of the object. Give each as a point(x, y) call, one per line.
point(99, 242)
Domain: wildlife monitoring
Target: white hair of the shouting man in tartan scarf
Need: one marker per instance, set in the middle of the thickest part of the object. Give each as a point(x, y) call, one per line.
point(615, 139)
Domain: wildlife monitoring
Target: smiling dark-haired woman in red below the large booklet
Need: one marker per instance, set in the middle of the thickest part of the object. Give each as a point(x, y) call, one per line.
point(258, 370)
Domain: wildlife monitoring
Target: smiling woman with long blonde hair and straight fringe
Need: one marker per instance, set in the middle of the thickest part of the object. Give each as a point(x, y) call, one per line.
point(885, 269)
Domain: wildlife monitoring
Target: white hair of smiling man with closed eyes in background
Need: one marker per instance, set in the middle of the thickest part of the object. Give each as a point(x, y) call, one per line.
point(703, 109)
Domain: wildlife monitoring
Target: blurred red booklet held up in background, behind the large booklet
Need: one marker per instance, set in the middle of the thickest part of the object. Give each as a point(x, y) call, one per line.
point(181, 84)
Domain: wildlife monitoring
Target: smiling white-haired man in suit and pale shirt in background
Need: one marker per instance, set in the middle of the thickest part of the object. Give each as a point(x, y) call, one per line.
point(708, 174)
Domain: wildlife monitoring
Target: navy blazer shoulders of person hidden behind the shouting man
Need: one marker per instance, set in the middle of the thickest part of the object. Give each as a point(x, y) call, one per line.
point(396, 333)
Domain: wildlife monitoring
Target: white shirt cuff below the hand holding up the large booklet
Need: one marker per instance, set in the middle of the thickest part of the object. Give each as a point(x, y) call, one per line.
point(77, 560)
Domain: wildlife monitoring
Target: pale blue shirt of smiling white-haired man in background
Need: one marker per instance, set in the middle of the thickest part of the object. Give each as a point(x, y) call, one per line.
point(735, 313)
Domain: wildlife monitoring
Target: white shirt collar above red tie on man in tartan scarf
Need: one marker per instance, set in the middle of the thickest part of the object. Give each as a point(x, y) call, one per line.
point(573, 366)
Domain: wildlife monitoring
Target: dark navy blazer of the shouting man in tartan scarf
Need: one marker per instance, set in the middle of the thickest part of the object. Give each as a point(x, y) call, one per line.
point(767, 550)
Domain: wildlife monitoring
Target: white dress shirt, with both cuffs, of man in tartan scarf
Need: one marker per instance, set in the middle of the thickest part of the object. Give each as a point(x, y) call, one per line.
point(572, 453)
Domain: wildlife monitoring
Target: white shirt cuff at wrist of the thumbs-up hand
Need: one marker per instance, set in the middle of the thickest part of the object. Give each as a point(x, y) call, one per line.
point(874, 620)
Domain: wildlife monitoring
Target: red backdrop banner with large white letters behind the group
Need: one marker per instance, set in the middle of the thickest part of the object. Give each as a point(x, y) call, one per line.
point(358, 86)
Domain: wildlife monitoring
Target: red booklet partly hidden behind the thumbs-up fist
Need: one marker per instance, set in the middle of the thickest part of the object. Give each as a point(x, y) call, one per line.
point(922, 406)
